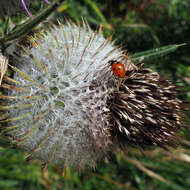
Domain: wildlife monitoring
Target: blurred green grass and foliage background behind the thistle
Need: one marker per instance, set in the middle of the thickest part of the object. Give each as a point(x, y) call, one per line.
point(137, 25)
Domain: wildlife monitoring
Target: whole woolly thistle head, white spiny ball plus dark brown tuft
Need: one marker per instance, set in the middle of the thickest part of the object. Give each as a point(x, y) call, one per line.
point(63, 104)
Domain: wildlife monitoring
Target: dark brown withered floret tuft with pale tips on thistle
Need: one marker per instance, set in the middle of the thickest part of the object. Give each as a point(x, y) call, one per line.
point(149, 113)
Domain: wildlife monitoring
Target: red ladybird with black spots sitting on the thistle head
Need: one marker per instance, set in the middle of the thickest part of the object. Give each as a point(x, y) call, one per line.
point(118, 68)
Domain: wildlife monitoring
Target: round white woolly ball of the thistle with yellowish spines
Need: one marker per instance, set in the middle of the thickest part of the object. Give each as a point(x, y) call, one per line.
point(56, 103)
